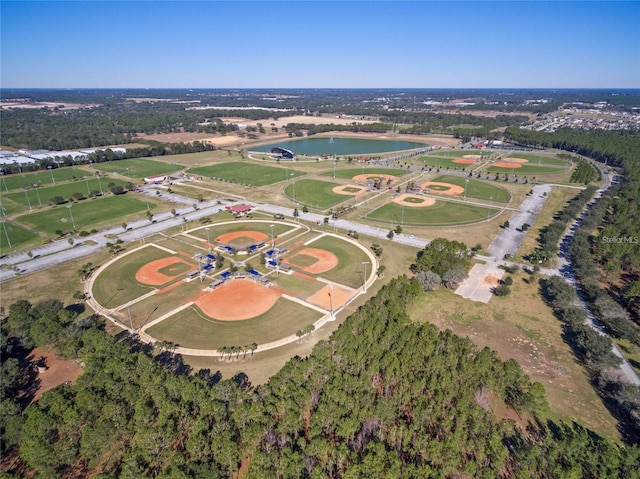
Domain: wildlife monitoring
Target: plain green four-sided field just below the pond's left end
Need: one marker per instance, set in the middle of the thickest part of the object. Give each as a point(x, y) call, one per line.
point(248, 173)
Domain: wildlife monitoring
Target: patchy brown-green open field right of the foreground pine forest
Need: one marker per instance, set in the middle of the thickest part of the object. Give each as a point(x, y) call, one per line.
point(522, 327)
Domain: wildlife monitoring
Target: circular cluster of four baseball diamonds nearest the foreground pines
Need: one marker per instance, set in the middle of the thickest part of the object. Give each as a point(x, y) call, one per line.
point(233, 283)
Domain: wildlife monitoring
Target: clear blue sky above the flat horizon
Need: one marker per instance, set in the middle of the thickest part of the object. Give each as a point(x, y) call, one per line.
point(291, 44)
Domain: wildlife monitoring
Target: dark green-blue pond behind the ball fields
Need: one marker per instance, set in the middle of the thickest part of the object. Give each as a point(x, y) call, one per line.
point(340, 146)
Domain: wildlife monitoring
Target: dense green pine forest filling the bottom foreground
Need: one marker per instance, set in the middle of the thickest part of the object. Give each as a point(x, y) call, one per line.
point(383, 397)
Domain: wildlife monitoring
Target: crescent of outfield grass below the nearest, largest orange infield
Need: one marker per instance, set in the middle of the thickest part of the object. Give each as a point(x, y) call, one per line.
point(193, 329)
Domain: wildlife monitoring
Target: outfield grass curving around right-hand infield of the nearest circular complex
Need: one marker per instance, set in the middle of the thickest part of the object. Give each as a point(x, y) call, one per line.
point(350, 257)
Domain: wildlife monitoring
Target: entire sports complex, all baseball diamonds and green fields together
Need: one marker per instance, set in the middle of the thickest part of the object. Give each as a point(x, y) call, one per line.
point(262, 281)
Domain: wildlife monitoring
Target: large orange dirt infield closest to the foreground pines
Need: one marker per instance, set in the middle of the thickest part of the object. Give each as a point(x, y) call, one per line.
point(237, 300)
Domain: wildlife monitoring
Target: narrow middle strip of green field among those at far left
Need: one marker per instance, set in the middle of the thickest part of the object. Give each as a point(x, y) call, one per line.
point(41, 196)
